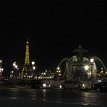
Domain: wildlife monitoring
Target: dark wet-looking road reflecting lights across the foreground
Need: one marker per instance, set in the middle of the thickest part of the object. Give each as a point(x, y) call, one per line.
point(25, 97)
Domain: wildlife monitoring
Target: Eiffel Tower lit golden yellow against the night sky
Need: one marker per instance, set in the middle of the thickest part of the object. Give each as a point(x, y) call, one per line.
point(27, 68)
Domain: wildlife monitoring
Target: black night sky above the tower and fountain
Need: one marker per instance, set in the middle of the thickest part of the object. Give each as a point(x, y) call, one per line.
point(54, 29)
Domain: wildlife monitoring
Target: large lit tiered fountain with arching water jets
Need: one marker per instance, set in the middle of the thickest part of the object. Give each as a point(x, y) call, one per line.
point(80, 68)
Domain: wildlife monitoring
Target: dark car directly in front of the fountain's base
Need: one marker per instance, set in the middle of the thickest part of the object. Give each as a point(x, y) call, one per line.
point(74, 85)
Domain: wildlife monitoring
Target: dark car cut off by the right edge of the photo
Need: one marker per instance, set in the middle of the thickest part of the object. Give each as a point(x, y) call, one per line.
point(101, 86)
